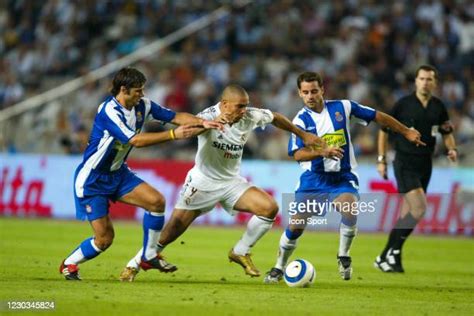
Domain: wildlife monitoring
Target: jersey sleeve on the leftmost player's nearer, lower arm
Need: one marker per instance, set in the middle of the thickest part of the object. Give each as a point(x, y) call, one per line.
point(115, 123)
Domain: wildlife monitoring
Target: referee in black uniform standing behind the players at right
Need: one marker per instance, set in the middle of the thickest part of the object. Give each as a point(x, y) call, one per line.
point(413, 165)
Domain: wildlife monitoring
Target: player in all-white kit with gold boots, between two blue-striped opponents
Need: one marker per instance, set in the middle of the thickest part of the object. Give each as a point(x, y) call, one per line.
point(215, 177)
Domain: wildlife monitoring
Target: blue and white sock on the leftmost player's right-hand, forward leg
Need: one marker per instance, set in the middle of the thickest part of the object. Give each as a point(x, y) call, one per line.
point(152, 225)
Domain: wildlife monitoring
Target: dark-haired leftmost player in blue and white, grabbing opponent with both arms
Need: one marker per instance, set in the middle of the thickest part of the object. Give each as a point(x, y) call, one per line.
point(103, 175)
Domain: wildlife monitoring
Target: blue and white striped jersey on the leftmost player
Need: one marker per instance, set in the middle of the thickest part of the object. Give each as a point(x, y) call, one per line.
point(113, 127)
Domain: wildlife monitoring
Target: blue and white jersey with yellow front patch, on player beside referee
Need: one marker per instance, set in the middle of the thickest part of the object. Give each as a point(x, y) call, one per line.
point(333, 125)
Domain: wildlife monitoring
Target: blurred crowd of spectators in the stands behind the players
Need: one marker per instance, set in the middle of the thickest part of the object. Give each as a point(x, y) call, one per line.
point(366, 50)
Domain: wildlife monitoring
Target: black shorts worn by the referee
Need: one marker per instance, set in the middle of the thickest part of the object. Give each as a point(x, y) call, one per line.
point(412, 171)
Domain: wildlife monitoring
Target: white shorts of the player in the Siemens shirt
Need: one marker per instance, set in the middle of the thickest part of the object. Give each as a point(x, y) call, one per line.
point(199, 193)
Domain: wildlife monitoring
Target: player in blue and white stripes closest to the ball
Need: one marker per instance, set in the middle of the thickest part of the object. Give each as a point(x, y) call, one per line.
point(328, 173)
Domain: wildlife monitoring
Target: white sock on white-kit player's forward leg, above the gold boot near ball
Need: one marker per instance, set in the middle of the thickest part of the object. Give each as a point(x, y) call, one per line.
point(256, 228)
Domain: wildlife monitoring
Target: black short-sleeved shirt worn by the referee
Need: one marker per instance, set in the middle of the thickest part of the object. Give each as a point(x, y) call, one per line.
point(428, 121)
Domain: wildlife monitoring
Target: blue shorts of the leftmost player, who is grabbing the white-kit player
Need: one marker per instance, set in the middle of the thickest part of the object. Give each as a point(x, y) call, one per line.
point(99, 189)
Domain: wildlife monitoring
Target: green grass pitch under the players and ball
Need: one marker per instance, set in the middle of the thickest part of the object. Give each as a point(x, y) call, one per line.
point(439, 277)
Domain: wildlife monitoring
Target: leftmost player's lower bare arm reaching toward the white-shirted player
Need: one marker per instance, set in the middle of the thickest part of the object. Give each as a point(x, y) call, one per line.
point(148, 139)
